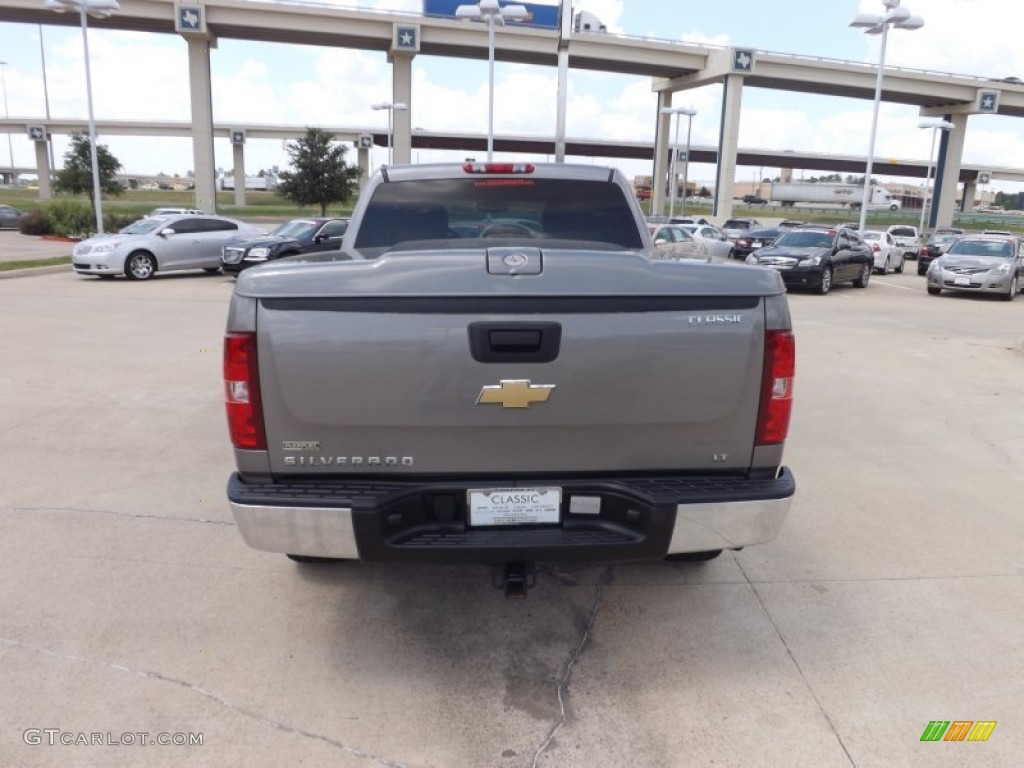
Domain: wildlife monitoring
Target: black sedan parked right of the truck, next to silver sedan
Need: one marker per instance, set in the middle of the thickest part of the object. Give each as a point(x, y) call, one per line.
point(818, 259)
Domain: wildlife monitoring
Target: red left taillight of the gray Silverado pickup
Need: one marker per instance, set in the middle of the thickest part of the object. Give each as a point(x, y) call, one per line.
point(245, 414)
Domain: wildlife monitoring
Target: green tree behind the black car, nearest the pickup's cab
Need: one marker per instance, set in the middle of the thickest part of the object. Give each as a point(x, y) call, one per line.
point(321, 175)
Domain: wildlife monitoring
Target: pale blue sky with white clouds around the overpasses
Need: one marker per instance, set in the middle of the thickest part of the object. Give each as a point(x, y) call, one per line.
point(141, 76)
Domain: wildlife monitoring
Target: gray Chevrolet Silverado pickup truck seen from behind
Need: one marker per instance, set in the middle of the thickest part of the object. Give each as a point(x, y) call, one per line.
point(497, 369)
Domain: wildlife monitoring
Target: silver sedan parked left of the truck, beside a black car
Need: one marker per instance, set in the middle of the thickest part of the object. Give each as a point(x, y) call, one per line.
point(160, 244)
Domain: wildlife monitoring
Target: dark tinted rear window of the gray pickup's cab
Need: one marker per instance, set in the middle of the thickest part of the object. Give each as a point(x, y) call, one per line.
point(461, 212)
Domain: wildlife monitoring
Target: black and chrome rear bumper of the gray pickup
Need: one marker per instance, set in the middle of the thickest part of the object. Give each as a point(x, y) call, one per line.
point(639, 519)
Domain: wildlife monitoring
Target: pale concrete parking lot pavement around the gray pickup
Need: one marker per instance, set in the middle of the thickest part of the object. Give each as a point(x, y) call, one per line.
point(130, 604)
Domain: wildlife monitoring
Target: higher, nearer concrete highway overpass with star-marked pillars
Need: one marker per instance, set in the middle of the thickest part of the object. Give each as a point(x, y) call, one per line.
point(672, 66)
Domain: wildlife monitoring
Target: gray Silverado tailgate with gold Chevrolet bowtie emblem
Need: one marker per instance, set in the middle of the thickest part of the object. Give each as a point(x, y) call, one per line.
point(399, 383)
